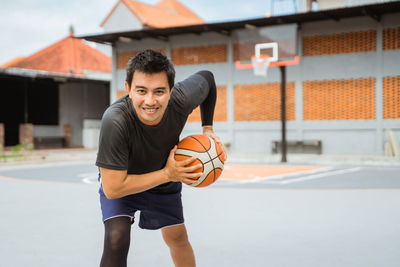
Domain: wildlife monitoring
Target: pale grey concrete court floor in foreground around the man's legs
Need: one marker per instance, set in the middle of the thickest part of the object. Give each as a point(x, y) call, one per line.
point(58, 224)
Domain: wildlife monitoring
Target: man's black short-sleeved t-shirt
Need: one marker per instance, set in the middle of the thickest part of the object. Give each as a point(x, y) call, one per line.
point(128, 144)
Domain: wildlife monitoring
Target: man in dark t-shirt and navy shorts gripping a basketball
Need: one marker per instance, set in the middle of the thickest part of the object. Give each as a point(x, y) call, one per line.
point(137, 143)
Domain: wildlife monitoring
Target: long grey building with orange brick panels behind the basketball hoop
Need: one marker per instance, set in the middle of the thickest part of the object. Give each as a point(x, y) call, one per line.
point(344, 92)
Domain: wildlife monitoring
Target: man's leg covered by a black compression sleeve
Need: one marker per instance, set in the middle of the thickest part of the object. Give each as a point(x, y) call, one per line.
point(116, 242)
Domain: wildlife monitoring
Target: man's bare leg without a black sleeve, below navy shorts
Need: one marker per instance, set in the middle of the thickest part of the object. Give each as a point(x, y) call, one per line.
point(177, 240)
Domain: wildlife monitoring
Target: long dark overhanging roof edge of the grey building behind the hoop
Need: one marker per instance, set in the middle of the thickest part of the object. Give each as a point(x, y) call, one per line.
point(374, 11)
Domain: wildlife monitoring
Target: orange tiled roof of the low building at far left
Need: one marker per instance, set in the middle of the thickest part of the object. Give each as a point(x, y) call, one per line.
point(68, 56)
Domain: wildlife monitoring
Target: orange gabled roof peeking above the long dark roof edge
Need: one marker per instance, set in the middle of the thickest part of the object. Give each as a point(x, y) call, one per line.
point(167, 13)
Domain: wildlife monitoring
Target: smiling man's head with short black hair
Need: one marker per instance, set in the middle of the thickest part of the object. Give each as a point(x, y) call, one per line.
point(149, 82)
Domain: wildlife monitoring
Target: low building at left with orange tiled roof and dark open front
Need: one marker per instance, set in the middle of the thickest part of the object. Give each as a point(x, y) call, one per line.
point(55, 97)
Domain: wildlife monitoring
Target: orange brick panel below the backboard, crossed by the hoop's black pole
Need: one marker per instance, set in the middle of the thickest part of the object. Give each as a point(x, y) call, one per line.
point(262, 102)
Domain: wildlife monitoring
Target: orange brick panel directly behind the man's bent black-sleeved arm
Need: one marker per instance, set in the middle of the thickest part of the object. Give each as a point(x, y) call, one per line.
point(220, 113)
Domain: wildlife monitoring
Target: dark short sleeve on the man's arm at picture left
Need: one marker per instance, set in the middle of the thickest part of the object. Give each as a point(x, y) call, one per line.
point(113, 150)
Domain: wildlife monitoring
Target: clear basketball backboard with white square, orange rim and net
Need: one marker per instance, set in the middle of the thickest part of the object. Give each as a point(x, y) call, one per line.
point(260, 47)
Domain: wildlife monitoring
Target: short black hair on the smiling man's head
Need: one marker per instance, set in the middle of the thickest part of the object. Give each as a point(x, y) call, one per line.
point(149, 62)
